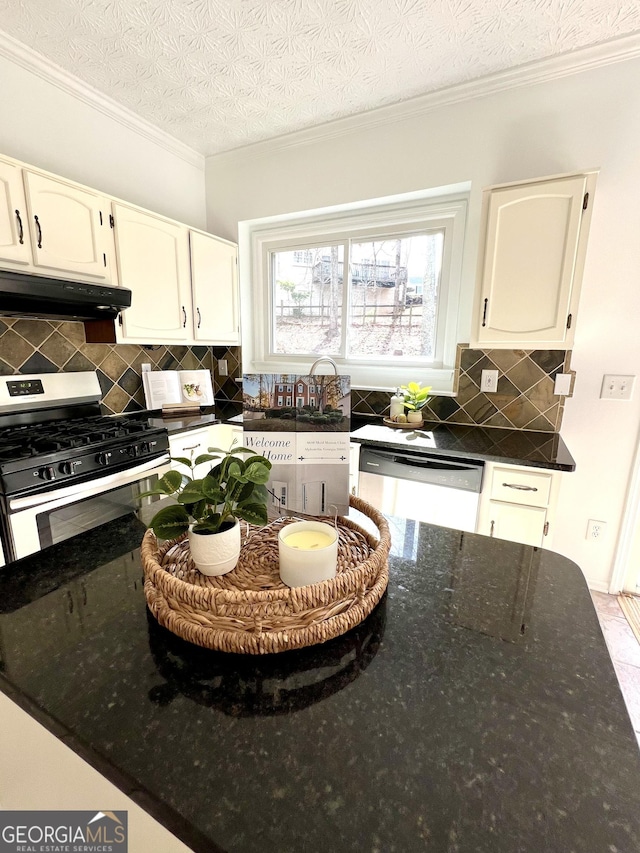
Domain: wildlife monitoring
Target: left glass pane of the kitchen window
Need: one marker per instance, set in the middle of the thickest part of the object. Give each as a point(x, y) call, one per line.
point(307, 300)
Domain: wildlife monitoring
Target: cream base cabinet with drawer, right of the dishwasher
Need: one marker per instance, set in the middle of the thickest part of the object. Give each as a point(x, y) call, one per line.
point(518, 503)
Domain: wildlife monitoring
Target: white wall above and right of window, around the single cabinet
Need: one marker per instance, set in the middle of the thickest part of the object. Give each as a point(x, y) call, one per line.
point(582, 121)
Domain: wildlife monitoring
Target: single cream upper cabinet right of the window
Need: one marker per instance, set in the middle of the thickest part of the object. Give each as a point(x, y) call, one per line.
point(532, 251)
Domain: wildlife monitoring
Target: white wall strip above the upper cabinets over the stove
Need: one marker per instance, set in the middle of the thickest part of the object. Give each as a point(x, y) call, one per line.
point(47, 127)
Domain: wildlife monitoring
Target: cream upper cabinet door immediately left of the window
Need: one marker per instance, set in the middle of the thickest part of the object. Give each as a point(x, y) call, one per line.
point(214, 275)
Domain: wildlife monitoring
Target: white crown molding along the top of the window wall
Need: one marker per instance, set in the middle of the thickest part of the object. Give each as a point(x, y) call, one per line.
point(530, 74)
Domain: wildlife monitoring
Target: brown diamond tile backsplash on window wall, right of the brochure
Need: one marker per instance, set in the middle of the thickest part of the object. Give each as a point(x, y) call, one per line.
point(524, 399)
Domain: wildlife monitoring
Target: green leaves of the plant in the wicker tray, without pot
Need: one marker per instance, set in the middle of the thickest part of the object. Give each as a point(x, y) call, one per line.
point(233, 489)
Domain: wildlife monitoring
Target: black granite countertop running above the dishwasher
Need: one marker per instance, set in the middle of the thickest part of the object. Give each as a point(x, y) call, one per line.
point(510, 446)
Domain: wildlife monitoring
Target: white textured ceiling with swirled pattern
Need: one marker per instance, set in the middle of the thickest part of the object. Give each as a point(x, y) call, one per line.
point(219, 74)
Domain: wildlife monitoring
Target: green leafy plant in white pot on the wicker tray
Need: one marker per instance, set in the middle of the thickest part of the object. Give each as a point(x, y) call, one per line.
point(210, 509)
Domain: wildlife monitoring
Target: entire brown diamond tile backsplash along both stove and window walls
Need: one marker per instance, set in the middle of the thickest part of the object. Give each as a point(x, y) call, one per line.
point(524, 399)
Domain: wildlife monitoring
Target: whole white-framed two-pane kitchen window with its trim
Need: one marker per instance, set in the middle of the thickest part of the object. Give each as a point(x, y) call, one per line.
point(377, 290)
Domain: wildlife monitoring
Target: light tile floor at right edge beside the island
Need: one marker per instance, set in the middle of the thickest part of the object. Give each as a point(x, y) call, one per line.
point(624, 649)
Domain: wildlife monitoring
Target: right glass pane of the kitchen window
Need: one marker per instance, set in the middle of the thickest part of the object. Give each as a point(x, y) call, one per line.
point(394, 296)
